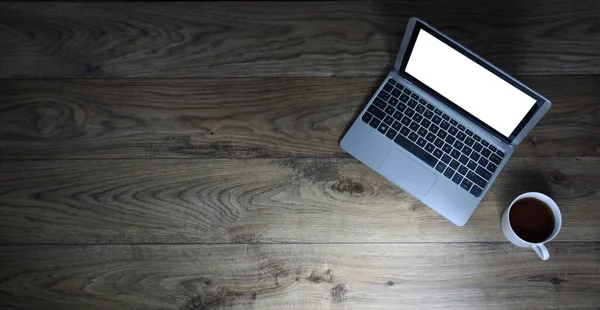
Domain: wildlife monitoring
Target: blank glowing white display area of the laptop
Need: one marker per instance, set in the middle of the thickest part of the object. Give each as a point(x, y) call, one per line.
point(467, 84)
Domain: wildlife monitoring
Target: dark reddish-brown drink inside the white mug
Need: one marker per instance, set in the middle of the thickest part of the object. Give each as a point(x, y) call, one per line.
point(532, 220)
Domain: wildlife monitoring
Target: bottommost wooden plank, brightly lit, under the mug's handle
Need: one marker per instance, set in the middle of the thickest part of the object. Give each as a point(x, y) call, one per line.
point(316, 276)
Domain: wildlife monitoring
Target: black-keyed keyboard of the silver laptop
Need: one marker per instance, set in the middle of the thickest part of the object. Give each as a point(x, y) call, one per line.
point(434, 137)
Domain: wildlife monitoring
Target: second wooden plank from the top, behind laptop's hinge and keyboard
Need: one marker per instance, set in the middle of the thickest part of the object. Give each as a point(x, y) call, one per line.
point(267, 117)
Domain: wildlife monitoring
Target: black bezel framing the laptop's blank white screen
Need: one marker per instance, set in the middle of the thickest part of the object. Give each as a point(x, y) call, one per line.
point(539, 101)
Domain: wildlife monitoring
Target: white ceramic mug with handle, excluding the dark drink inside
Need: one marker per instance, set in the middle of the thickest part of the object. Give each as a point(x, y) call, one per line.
point(510, 234)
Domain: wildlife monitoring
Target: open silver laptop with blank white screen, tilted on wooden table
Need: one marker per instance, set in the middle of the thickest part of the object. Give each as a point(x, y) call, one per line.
point(443, 123)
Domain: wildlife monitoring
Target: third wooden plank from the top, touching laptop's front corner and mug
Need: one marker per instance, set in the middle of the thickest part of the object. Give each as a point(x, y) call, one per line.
point(265, 200)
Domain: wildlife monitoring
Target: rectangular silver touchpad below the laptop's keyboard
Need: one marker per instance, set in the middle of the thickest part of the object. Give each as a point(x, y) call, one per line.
point(409, 172)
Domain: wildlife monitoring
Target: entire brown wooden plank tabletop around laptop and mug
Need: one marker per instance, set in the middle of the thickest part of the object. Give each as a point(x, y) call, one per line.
point(185, 156)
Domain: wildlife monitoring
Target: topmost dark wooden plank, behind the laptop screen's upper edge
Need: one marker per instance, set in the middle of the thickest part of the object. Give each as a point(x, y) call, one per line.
point(117, 40)
